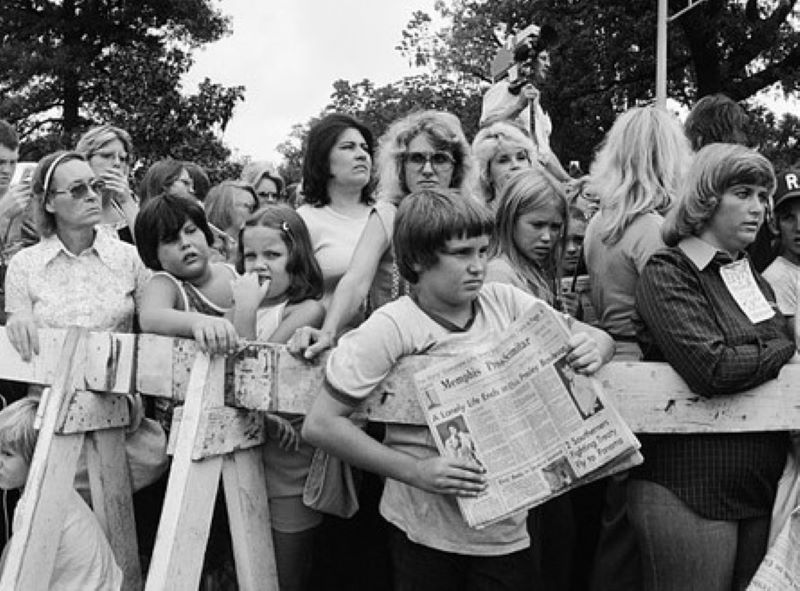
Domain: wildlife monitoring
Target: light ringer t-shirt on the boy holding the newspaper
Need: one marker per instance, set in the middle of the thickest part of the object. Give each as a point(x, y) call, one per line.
point(366, 355)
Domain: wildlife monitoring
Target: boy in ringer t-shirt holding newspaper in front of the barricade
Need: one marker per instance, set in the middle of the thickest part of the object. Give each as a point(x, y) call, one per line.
point(441, 241)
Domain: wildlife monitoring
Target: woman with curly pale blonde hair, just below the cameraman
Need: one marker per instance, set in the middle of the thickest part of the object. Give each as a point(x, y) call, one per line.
point(500, 149)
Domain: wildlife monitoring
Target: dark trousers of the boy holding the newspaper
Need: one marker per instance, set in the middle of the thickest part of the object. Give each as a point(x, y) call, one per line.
point(419, 568)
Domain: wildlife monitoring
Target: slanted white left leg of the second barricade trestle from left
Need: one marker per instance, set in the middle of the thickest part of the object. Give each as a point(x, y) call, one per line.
point(191, 490)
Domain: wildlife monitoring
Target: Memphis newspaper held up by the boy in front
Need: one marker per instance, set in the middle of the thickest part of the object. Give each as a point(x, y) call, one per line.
point(515, 406)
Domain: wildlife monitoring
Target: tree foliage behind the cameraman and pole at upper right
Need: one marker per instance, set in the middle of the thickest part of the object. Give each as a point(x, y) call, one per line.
point(603, 64)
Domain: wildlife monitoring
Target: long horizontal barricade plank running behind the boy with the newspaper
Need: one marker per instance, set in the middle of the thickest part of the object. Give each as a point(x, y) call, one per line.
point(650, 396)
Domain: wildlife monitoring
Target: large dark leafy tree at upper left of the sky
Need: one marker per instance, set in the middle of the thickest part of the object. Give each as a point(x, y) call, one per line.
point(66, 65)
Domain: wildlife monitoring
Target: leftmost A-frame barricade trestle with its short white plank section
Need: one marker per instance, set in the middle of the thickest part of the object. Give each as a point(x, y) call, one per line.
point(74, 363)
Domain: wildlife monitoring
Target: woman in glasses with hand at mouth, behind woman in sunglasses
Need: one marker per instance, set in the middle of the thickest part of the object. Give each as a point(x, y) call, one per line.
point(109, 150)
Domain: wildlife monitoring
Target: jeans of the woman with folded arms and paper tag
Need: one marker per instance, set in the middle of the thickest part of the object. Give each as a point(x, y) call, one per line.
point(682, 551)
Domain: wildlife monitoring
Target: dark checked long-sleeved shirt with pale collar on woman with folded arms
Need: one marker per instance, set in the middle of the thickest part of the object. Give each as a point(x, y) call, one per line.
point(688, 317)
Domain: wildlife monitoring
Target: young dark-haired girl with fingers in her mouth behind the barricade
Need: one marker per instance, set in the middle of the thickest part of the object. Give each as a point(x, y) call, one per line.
point(279, 293)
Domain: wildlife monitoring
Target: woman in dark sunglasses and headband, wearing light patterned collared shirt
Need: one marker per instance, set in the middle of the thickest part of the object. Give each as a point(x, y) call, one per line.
point(78, 276)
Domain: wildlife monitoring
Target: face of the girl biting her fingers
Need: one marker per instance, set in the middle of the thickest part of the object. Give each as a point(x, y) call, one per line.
point(266, 255)
